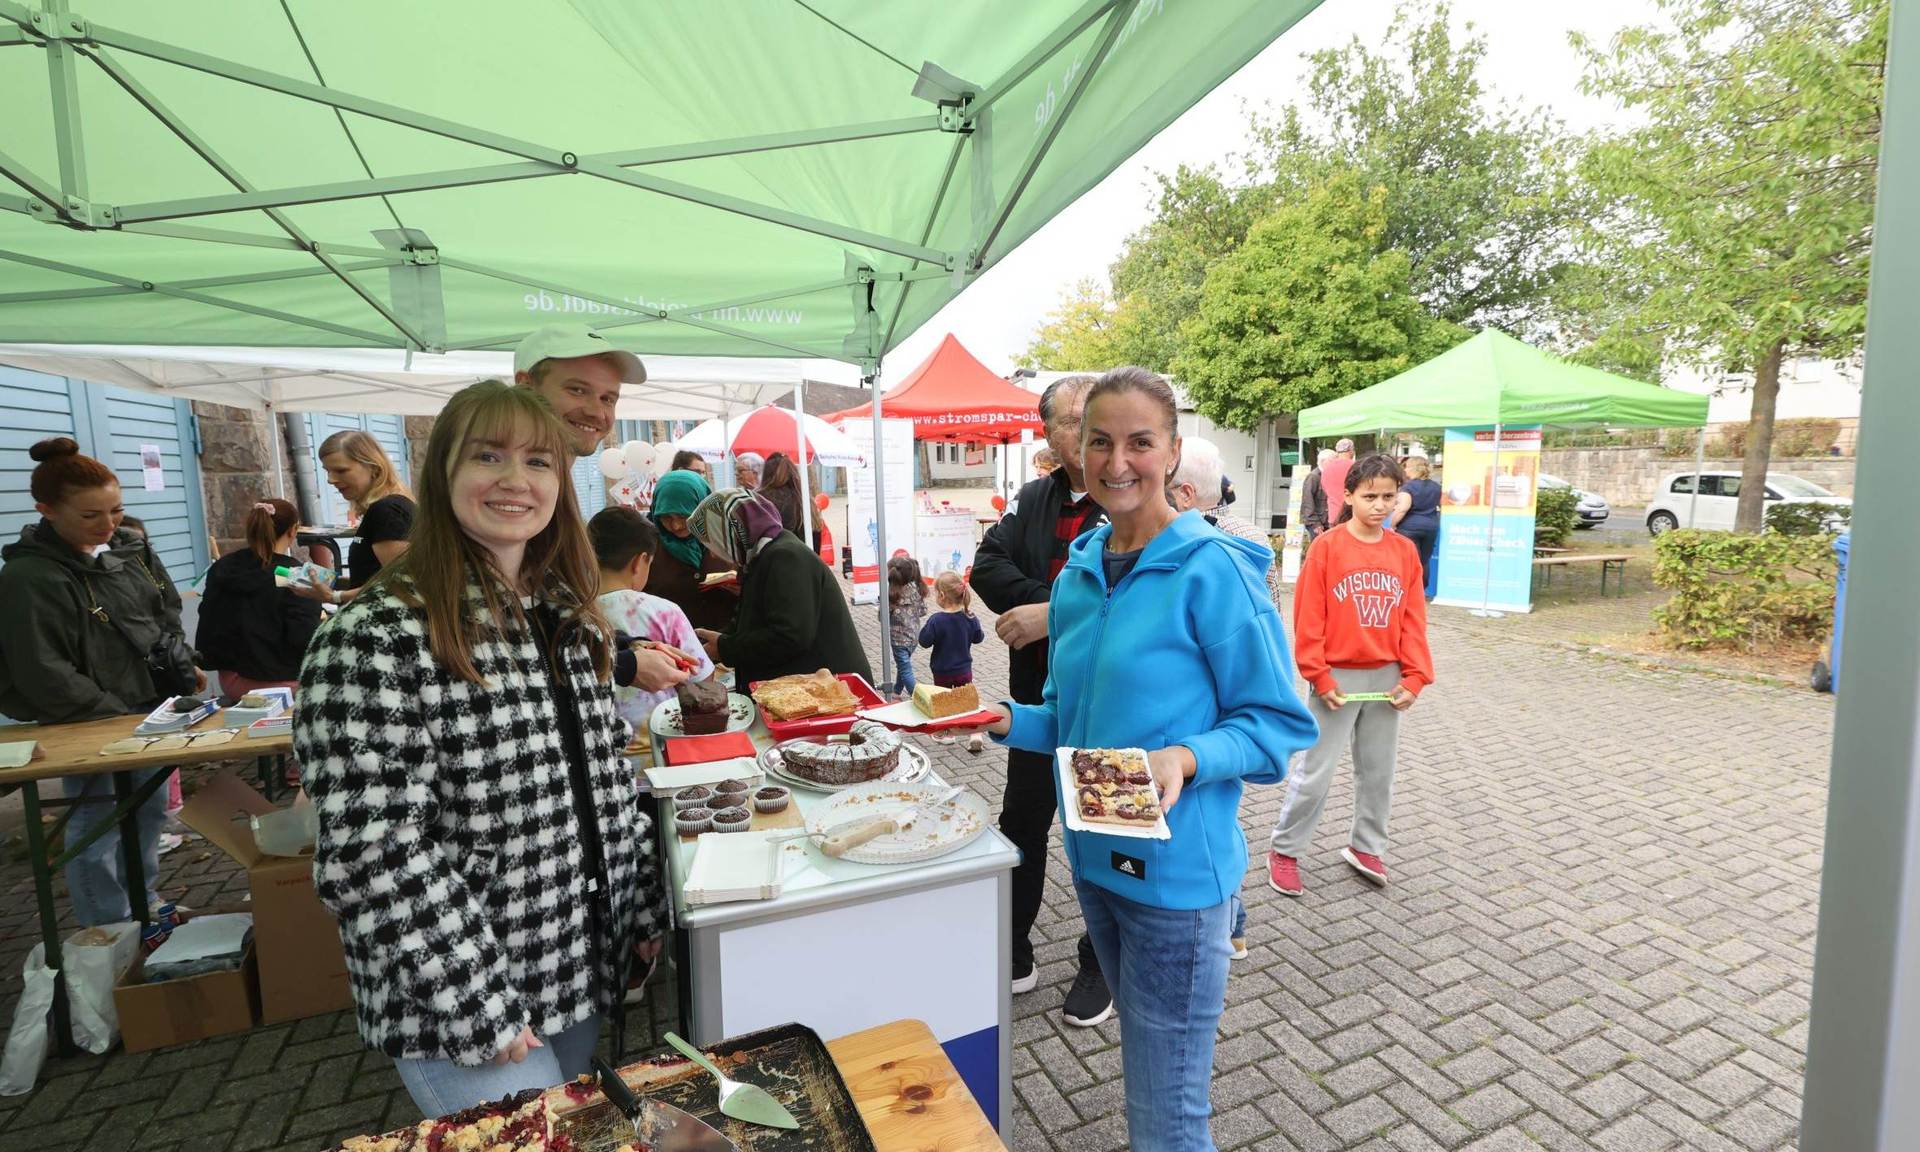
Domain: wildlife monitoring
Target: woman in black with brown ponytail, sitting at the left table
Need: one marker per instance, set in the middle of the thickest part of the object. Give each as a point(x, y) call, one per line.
point(251, 627)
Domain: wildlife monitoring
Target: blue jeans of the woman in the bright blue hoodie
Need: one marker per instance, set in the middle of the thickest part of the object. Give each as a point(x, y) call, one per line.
point(1168, 971)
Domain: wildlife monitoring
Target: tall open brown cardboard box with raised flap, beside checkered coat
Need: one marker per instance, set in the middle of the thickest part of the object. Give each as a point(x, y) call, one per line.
point(302, 967)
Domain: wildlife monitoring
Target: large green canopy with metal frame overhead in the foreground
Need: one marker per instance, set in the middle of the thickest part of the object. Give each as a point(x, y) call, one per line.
point(752, 180)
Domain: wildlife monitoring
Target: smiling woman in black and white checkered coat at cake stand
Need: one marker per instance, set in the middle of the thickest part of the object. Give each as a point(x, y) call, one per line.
point(481, 838)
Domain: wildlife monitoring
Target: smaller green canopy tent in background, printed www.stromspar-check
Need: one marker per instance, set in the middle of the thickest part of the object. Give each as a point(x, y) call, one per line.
point(1495, 379)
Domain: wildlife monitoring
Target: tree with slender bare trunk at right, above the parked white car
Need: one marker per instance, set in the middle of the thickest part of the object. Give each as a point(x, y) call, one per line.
point(1739, 214)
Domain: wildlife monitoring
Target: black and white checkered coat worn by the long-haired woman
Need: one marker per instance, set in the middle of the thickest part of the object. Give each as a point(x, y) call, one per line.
point(448, 844)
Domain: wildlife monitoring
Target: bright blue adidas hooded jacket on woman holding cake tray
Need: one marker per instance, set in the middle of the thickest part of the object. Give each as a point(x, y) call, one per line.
point(1188, 652)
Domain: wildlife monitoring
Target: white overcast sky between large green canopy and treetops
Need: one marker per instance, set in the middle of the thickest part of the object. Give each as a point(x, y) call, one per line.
point(1527, 62)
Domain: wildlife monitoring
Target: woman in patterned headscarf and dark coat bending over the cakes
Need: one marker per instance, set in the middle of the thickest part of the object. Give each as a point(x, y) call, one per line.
point(792, 610)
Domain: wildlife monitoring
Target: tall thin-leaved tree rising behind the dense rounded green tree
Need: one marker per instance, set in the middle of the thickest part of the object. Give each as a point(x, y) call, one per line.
point(1477, 191)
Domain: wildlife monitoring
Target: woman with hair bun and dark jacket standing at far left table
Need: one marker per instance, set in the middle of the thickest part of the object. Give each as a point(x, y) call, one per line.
point(89, 629)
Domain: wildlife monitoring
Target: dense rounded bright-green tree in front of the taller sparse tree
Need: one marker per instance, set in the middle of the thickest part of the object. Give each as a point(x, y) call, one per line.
point(1307, 310)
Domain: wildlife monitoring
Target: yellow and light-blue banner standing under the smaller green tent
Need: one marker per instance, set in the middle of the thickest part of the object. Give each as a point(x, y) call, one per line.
point(1487, 519)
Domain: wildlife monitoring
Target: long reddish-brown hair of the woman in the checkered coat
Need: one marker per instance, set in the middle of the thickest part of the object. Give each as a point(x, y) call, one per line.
point(443, 560)
